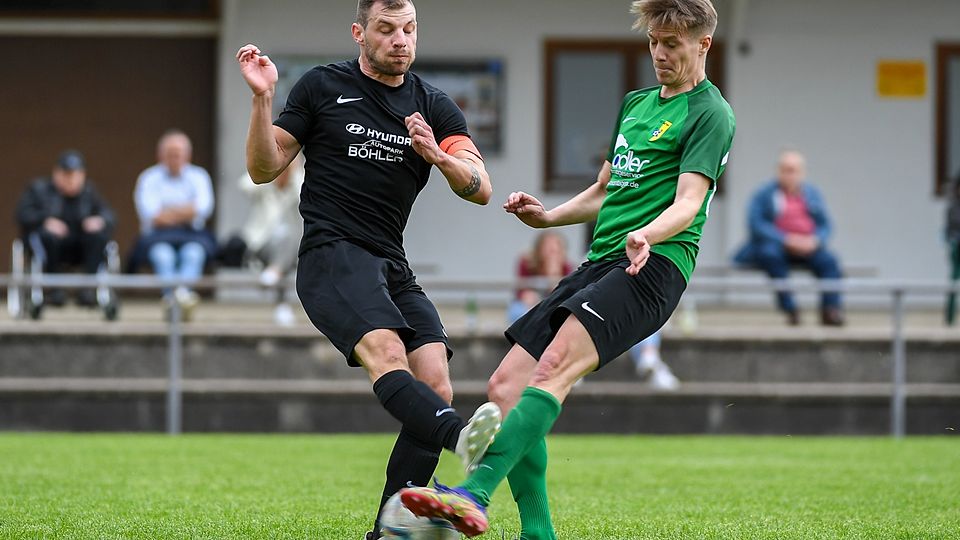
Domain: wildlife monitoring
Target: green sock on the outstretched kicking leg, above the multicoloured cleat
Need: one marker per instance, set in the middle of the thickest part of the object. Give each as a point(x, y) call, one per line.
point(526, 424)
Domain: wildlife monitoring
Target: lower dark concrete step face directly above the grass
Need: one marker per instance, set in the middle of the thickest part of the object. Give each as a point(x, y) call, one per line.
point(327, 407)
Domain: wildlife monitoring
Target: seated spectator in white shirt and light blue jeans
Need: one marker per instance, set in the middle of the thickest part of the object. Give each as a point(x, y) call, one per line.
point(174, 199)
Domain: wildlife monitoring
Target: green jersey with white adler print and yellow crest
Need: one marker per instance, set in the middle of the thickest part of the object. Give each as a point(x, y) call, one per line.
point(655, 140)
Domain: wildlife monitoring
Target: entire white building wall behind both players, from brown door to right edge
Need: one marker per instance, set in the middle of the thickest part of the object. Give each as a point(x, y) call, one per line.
point(808, 81)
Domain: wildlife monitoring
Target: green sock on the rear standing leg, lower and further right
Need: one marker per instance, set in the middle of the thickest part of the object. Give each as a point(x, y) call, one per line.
point(528, 482)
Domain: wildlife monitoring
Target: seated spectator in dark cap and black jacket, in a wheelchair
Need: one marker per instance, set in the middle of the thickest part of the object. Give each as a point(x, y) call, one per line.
point(66, 222)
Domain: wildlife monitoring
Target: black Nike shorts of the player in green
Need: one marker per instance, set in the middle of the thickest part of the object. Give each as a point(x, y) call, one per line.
point(617, 309)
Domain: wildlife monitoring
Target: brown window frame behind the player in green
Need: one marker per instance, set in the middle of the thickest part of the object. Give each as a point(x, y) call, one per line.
point(632, 50)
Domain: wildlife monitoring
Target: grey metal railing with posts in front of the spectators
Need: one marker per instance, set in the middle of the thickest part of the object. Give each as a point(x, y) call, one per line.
point(897, 290)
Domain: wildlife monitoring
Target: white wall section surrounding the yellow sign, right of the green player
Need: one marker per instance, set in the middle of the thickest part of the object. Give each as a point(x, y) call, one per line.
point(810, 81)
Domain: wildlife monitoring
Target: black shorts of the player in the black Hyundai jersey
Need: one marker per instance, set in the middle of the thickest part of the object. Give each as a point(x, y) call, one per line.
point(347, 292)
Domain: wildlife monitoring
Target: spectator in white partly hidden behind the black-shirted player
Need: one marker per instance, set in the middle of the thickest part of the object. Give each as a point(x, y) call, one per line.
point(271, 235)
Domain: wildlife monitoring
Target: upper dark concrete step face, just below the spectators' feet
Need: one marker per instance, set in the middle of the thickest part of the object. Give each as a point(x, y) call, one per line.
point(279, 357)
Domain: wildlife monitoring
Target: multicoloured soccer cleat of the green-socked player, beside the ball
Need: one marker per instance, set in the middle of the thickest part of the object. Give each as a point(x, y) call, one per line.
point(455, 505)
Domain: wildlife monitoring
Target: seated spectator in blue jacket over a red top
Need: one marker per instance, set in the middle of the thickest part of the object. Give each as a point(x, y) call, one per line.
point(789, 225)
